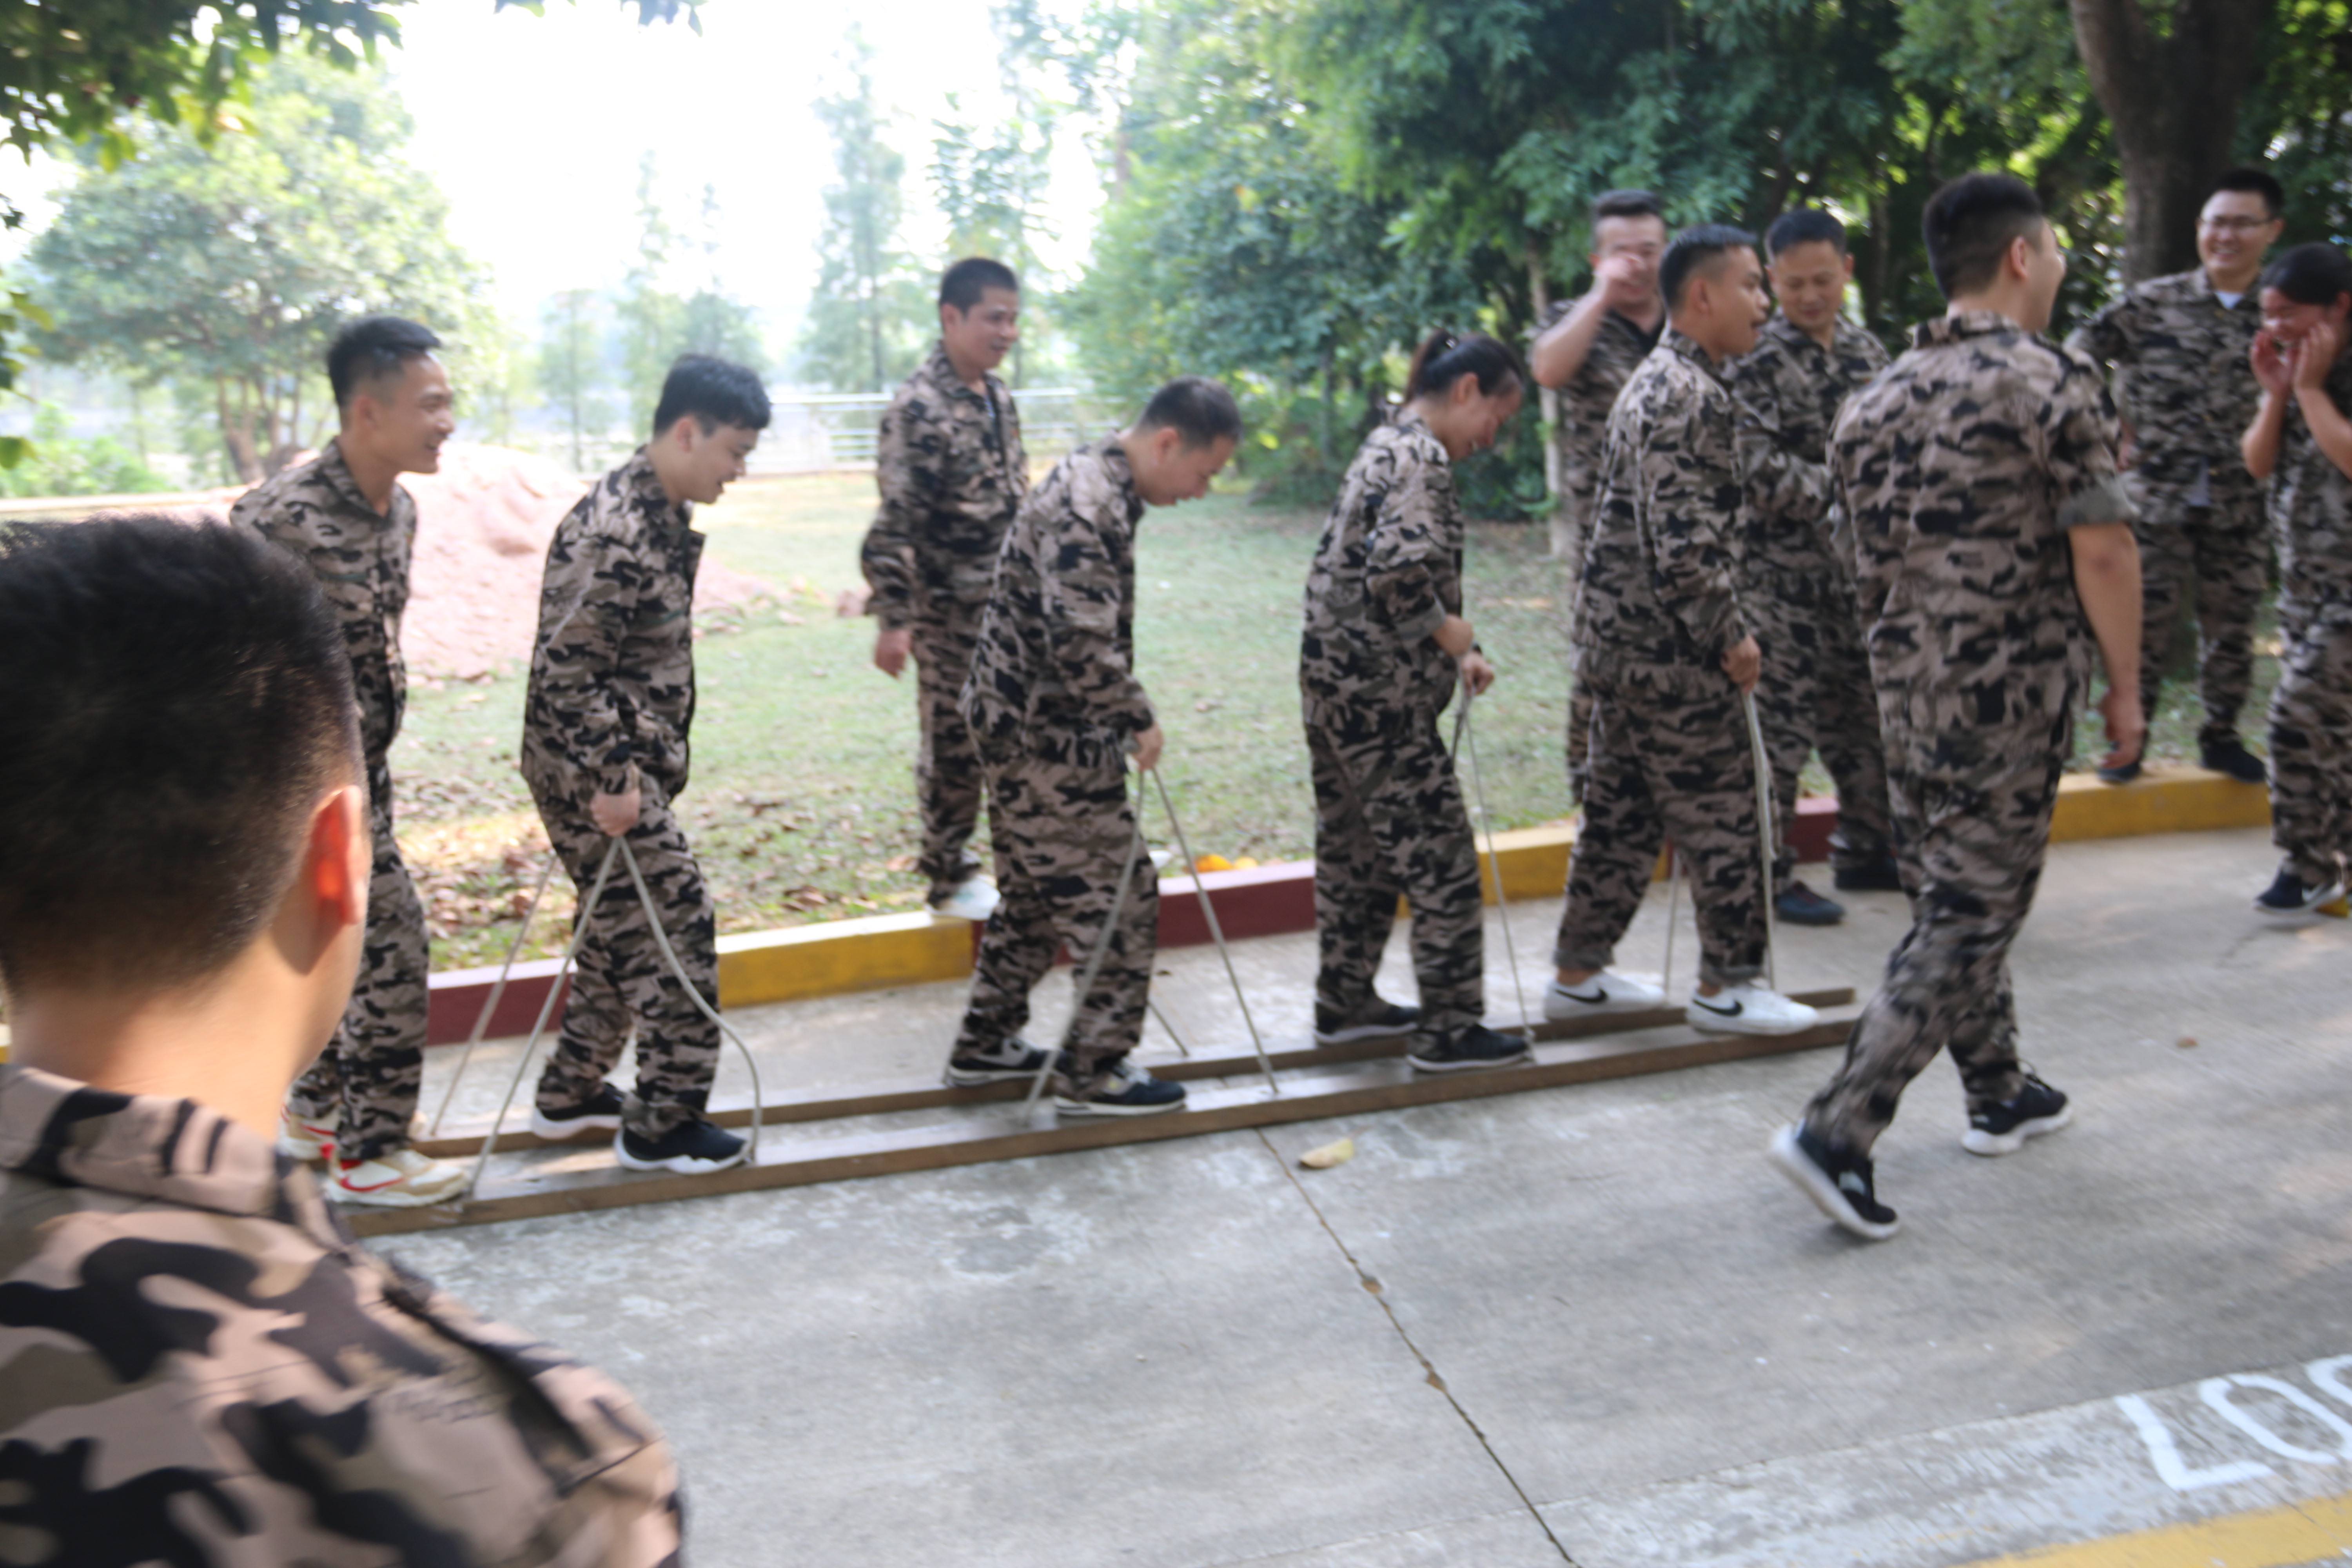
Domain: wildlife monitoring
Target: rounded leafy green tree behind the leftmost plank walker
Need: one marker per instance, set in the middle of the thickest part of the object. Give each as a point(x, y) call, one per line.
point(229, 262)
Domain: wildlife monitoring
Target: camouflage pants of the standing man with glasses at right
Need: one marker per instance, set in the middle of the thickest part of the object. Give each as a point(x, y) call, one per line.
point(2221, 556)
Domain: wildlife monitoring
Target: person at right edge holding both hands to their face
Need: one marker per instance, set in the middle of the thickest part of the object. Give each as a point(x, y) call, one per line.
point(2301, 443)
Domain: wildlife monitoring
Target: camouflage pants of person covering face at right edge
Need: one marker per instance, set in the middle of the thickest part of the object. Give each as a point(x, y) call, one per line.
point(2311, 753)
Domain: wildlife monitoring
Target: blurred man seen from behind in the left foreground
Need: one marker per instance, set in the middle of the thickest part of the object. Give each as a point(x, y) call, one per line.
point(201, 1365)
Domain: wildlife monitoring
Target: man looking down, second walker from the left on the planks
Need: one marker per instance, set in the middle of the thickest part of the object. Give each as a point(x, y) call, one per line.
point(606, 749)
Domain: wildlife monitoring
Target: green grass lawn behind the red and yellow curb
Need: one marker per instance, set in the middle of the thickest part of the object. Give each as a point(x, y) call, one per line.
point(803, 753)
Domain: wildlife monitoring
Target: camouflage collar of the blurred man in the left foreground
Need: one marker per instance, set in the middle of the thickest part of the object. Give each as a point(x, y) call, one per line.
point(149, 1148)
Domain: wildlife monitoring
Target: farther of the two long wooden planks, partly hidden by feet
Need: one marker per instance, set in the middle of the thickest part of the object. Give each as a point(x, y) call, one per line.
point(883, 1099)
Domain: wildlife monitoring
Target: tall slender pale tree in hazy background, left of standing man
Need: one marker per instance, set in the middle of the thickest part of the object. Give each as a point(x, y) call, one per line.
point(867, 316)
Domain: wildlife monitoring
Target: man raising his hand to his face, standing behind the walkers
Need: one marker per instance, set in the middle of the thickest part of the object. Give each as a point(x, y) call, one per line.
point(1582, 354)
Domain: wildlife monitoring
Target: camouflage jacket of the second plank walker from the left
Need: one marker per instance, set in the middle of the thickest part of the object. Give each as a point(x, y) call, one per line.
point(613, 666)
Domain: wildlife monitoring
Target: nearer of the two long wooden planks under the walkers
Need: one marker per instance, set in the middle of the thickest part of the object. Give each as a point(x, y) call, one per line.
point(984, 1139)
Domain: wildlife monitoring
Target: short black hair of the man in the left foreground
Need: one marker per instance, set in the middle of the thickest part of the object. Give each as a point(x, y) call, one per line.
point(180, 702)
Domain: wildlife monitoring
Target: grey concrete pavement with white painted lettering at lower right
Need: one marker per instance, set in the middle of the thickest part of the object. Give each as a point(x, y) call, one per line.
point(1577, 1325)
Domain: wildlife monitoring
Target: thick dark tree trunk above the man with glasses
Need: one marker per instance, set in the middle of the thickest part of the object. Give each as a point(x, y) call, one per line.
point(2172, 100)
